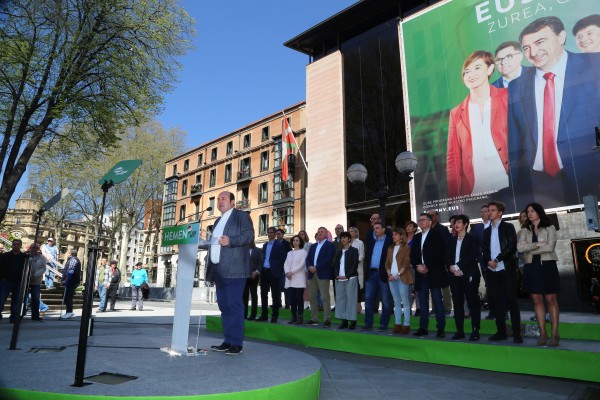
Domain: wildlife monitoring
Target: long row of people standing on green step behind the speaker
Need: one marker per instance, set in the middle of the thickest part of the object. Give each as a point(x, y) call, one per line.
point(423, 258)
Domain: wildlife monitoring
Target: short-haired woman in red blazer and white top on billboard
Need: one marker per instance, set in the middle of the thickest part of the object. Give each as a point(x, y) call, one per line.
point(477, 158)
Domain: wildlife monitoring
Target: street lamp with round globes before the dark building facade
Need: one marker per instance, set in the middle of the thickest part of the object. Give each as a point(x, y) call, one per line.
point(406, 163)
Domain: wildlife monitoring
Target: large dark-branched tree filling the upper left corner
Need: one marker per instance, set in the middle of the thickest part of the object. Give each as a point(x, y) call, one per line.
point(102, 64)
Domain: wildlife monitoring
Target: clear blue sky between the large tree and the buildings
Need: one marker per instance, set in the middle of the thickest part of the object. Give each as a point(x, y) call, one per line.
point(238, 71)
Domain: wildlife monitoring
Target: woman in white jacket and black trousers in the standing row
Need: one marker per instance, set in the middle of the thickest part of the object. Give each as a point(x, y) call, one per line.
point(295, 278)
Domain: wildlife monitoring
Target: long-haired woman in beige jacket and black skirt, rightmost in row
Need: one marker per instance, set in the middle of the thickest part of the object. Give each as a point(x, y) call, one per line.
point(541, 278)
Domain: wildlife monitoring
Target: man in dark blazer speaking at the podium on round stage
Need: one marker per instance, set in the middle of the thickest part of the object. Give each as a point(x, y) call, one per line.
point(229, 266)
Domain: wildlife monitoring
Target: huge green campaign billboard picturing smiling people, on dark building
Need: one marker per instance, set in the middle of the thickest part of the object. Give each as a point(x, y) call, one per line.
point(503, 103)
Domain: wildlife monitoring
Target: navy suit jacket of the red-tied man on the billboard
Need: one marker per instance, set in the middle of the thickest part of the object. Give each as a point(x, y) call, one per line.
point(579, 114)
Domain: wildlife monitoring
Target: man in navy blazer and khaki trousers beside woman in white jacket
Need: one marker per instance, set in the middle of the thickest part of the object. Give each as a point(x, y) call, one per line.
point(320, 272)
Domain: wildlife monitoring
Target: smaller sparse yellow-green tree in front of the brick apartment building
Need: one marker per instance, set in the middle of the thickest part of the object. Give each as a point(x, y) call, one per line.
point(63, 163)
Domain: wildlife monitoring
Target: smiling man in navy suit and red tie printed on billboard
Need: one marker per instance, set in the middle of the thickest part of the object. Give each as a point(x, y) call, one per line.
point(553, 111)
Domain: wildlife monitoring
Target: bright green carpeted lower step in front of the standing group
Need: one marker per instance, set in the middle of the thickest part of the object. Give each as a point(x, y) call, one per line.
point(500, 358)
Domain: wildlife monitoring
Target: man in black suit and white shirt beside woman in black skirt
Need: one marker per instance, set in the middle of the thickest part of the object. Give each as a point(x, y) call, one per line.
point(499, 257)
